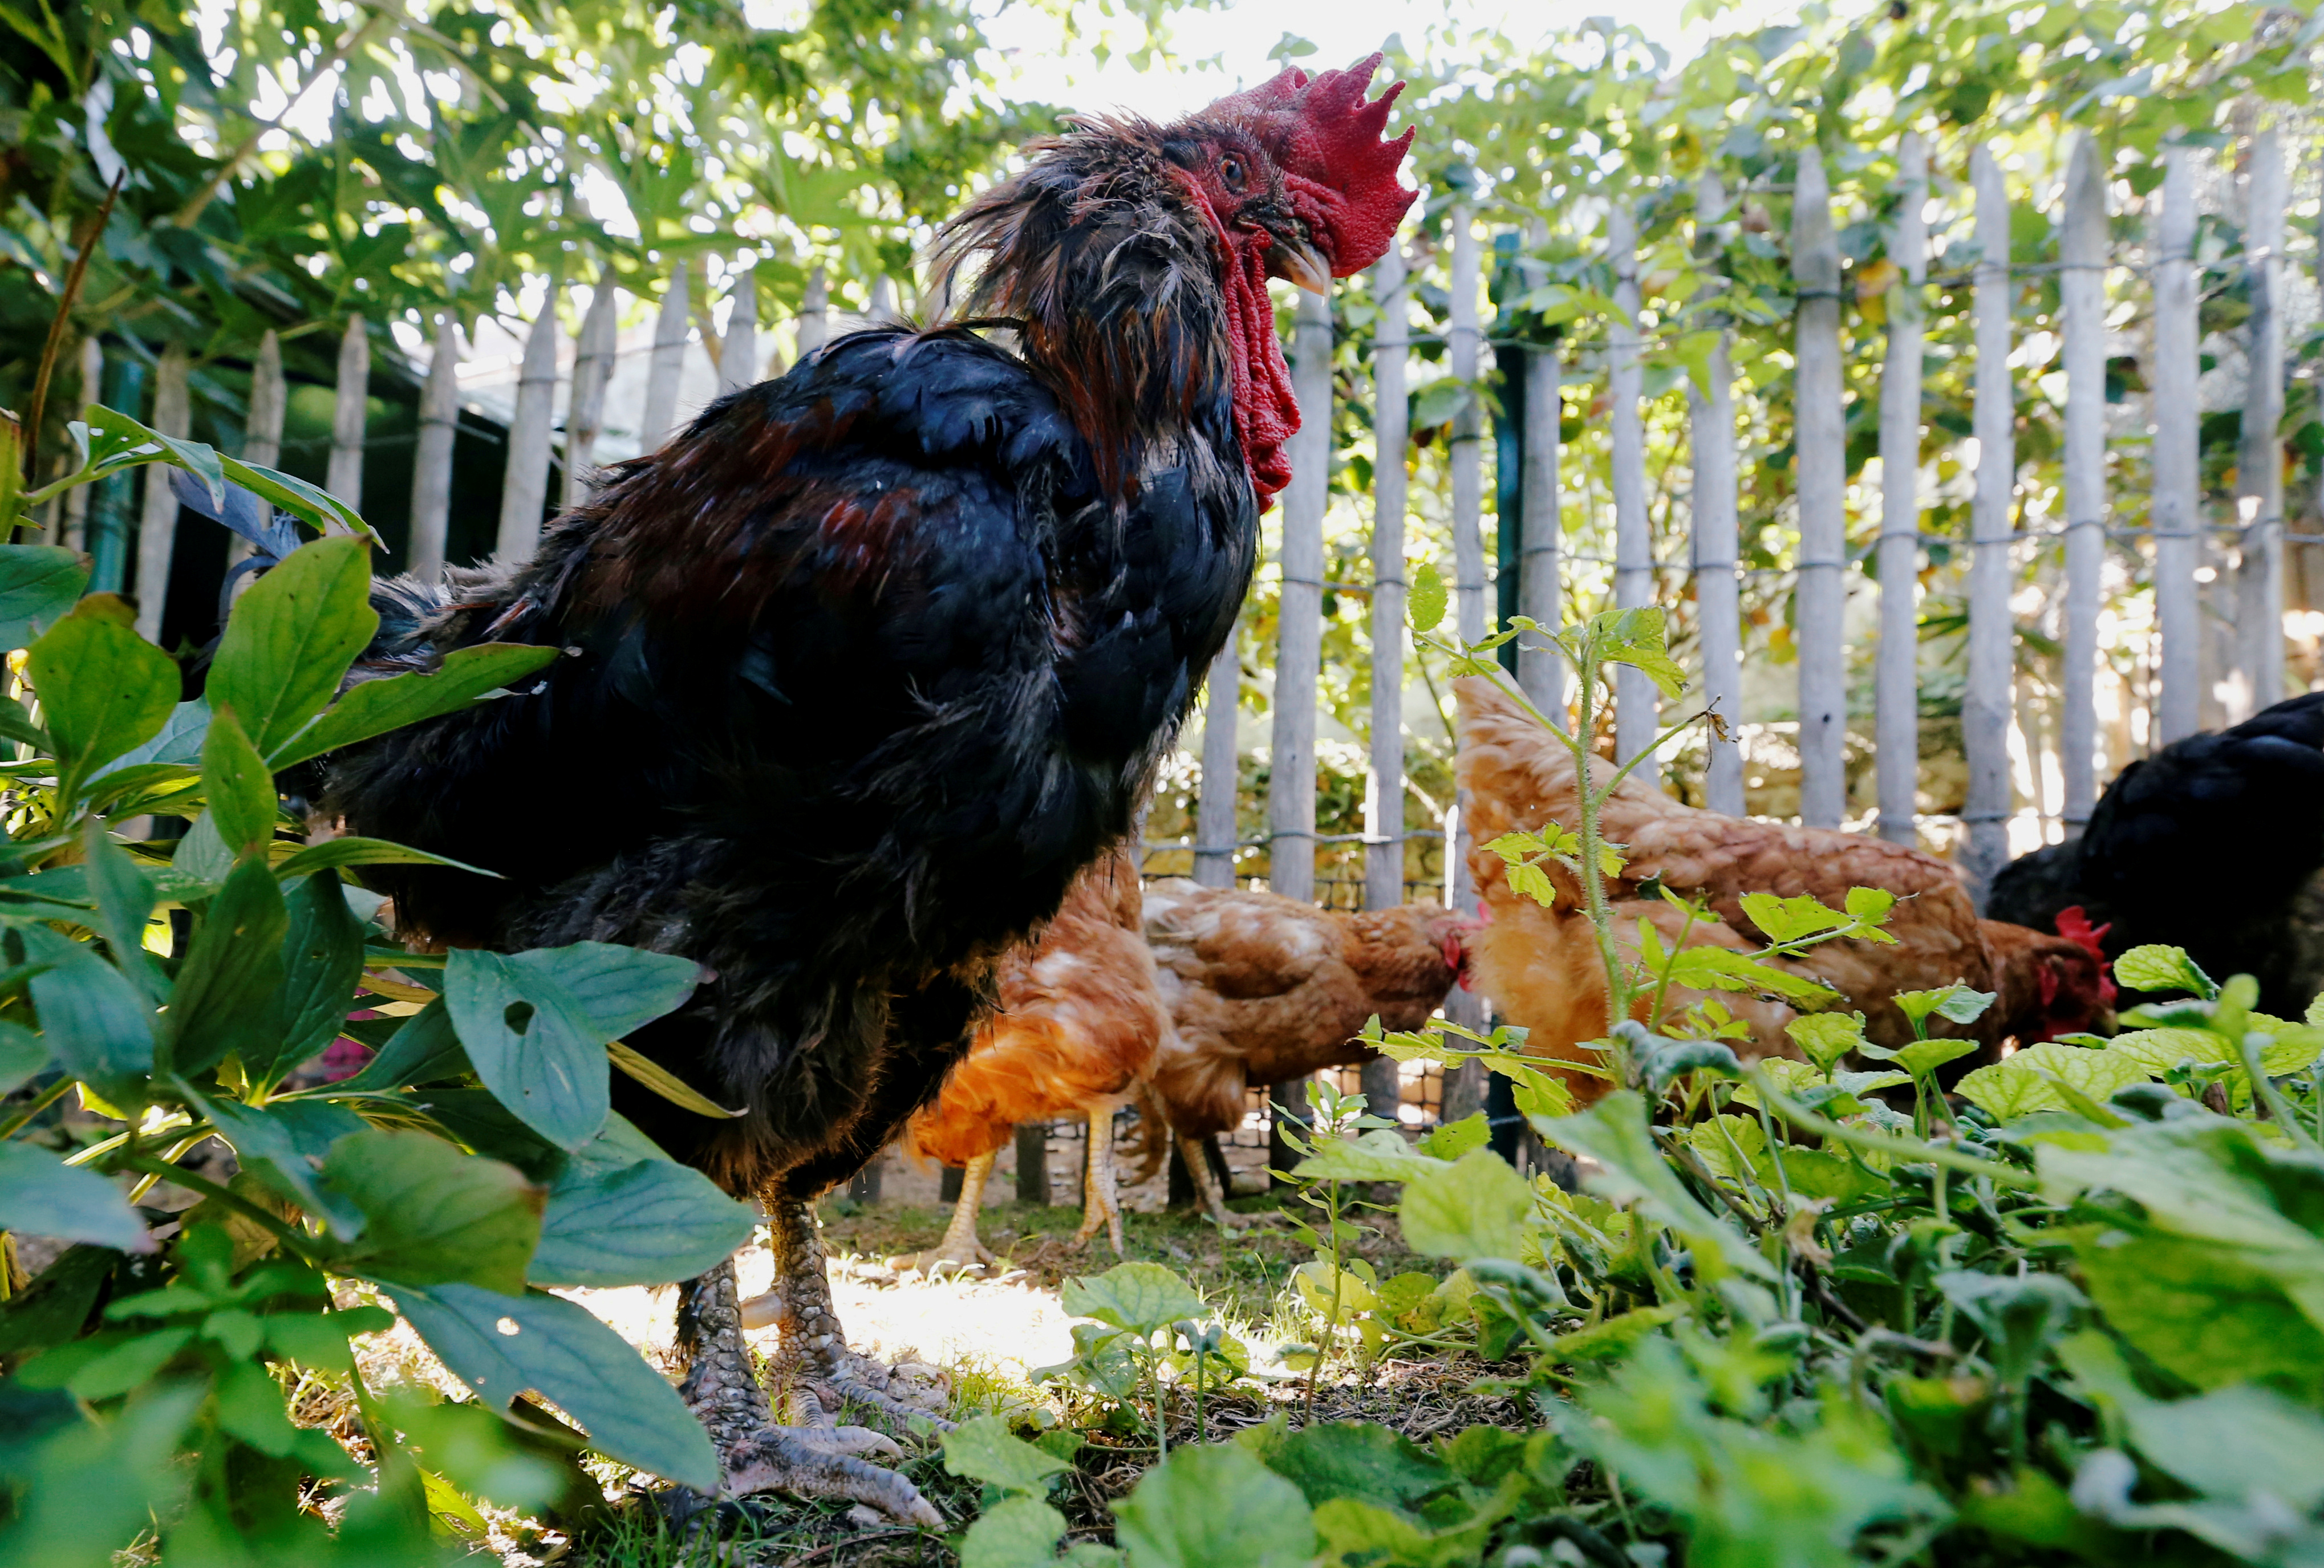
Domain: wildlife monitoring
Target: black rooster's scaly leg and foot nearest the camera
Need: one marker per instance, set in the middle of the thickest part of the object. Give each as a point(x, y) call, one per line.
point(754, 1453)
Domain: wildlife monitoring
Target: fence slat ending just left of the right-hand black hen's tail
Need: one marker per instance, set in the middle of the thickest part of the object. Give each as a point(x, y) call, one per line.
point(1986, 705)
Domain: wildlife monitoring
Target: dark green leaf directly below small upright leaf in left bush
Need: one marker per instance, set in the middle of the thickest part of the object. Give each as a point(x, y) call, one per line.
point(229, 979)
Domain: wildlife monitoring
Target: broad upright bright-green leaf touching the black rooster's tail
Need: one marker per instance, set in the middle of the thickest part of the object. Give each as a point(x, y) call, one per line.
point(292, 640)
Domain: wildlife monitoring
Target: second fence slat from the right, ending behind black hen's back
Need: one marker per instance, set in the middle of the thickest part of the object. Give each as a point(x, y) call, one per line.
point(2176, 429)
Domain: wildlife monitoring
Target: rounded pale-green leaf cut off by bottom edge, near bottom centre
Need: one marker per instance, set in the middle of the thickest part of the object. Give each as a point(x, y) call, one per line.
point(1214, 1509)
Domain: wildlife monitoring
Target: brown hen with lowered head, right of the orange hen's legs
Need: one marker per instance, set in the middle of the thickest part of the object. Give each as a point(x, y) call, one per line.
point(1265, 988)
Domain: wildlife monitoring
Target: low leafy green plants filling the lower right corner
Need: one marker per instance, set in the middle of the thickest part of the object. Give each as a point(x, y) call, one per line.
point(2067, 1314)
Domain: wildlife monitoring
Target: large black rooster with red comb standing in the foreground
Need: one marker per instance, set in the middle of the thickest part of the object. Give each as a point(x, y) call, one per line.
point(873, 661)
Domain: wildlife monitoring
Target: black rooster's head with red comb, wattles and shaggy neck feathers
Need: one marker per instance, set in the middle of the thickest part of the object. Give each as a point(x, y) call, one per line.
point(1138, 257)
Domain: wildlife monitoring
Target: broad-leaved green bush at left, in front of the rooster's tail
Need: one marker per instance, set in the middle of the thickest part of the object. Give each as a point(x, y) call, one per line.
point(175, 986)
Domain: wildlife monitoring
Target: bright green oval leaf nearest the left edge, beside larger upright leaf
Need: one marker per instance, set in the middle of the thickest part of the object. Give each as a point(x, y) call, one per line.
point(103, 689)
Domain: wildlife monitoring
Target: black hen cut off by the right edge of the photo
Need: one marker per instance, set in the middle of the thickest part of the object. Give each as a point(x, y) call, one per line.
point(2172, 856)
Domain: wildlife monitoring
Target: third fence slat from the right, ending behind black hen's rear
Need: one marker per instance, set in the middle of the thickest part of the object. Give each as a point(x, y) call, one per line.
point(2083, 299)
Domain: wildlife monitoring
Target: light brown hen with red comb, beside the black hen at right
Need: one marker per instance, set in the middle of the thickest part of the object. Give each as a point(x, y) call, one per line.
point(1542, 965)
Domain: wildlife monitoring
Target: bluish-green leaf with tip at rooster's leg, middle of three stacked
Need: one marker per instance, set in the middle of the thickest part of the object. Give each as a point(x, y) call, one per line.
point(652, 1223)
